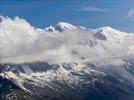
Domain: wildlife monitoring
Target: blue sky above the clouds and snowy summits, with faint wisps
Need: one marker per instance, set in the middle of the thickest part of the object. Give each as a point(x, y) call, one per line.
point(118, 14)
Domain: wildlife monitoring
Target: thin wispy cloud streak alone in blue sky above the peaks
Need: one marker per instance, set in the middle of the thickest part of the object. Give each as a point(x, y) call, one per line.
point(93, 9)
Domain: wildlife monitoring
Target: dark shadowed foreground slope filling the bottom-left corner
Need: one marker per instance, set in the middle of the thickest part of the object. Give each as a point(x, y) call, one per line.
point(9, 91)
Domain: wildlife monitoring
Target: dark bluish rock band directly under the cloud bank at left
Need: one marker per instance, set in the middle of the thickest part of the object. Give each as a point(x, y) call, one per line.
point(26, 67)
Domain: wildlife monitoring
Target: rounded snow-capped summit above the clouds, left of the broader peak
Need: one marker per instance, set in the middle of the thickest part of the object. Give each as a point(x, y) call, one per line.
point(61, 26)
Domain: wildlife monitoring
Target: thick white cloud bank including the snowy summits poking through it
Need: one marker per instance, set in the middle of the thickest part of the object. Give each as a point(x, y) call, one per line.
point(21, 42)
